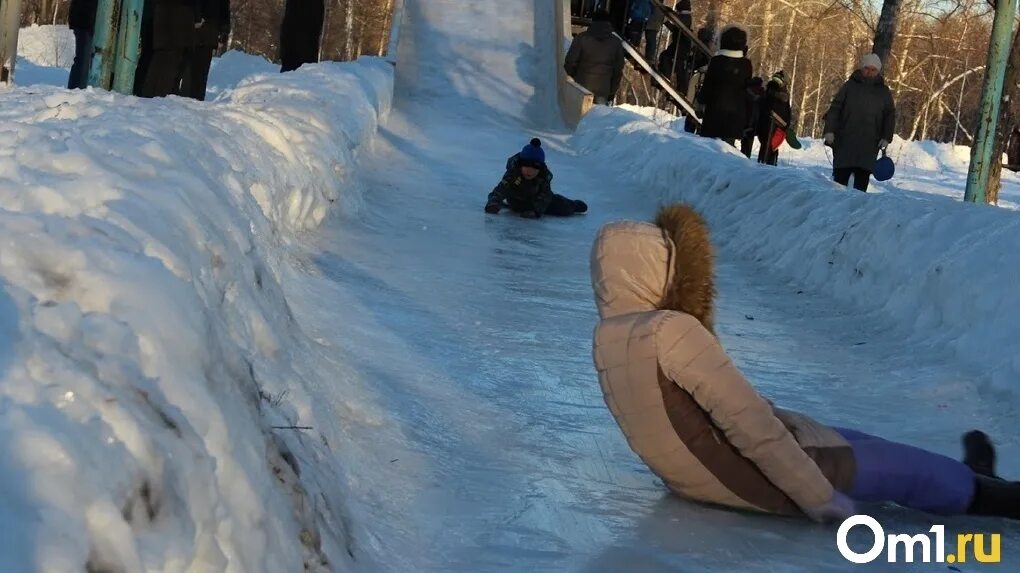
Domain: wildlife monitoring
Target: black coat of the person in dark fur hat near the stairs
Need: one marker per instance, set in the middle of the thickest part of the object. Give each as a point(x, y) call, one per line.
point(725, 96)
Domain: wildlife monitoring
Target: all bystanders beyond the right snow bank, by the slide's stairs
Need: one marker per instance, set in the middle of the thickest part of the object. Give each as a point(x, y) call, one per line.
point(734, 105)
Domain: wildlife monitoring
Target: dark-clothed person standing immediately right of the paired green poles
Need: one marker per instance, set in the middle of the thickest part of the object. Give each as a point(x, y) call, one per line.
point(168, 40)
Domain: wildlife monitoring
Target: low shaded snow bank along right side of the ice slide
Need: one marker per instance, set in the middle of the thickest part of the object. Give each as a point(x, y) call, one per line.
point(945, 271)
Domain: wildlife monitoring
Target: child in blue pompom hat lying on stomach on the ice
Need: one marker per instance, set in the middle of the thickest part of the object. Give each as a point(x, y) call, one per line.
point(527, 189)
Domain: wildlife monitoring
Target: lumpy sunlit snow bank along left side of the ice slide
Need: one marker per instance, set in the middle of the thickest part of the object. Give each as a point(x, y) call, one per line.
point(147, 348)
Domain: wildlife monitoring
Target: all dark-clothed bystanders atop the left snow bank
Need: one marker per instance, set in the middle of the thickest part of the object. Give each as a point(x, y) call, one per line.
point(180, 38)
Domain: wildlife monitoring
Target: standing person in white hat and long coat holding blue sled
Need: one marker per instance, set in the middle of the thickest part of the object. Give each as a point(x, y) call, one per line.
point(859, 124)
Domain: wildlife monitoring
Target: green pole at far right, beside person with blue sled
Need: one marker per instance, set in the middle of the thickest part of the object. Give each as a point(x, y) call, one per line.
point(992, 97)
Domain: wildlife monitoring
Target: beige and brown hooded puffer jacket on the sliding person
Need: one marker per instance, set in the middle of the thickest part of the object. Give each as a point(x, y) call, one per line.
point(683, 405)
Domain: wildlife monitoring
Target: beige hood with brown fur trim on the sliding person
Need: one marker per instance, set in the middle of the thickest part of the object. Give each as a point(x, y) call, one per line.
point(666, 266)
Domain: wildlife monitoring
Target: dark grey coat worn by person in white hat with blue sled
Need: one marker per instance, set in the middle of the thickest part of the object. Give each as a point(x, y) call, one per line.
point(861, 115)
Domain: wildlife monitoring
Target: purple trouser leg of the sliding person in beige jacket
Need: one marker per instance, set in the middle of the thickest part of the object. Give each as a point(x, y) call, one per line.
point(889, 472)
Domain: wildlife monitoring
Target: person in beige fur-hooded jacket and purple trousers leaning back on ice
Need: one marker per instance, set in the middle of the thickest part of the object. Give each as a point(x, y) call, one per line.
point(690, 413)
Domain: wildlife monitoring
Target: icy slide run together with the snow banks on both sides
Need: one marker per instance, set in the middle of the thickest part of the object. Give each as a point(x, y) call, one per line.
point(270, 261)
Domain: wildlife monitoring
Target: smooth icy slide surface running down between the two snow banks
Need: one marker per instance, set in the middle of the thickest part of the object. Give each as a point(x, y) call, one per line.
point(475, 332)
